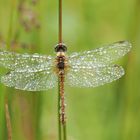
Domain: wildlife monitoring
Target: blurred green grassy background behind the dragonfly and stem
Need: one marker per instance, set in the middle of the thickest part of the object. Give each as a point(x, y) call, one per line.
point(109, 112)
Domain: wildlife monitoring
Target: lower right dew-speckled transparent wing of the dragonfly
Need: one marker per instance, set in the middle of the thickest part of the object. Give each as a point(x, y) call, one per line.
point(93, 76)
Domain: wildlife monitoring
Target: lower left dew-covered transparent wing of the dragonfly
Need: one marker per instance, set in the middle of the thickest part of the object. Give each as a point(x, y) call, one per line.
point(31, 81)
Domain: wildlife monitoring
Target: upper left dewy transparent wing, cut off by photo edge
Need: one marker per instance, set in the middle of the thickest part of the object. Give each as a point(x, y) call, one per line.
point(25, 62)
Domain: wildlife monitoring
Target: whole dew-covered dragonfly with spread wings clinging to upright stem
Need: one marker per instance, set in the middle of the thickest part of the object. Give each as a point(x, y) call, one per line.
point(35, 72)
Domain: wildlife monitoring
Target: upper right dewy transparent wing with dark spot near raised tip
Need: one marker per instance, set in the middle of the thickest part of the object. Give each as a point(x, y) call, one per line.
point(101, 56)
